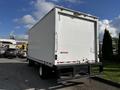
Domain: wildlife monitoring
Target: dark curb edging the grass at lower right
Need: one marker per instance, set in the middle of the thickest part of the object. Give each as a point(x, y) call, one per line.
point(106, 81)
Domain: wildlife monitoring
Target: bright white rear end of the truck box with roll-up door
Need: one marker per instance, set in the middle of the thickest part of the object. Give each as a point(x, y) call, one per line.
point(75, 39)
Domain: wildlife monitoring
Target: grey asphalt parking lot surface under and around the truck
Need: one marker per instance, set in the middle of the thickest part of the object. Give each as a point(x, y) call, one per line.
point(16, 75)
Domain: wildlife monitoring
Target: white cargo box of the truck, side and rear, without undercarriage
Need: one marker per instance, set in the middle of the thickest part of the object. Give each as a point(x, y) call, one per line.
point(70, 37)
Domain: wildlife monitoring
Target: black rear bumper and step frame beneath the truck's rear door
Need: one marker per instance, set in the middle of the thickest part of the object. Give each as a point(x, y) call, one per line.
point(80, 69)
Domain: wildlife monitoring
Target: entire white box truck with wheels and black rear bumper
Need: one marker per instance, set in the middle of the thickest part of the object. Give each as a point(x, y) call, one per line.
point(64, 42)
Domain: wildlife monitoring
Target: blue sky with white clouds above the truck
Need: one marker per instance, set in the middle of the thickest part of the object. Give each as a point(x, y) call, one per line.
point(18, 16)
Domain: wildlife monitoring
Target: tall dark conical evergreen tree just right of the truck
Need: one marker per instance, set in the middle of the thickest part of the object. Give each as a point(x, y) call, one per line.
point(107, 49)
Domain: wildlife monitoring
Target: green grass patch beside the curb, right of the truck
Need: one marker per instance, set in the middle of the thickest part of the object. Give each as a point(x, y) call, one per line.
point(112, 72)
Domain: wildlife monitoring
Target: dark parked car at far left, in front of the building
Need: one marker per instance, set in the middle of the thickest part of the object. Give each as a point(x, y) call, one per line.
point(10, 53)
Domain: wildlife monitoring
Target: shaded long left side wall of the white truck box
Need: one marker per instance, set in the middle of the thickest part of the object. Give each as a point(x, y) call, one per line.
point(41, 39)
